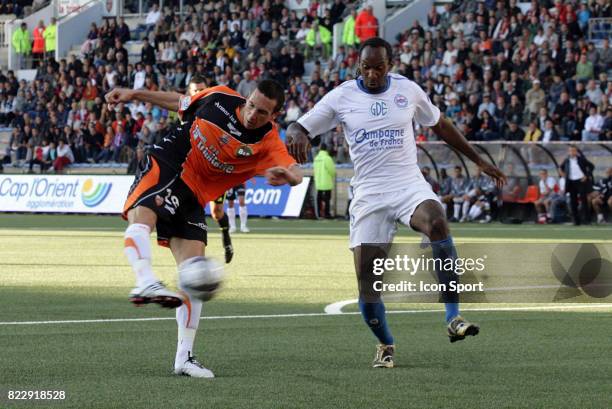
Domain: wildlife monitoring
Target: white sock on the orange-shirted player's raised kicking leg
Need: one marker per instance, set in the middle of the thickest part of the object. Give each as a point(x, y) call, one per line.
point(138, 252)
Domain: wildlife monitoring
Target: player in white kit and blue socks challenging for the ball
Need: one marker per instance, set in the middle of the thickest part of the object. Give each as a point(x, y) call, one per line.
point(376, 112)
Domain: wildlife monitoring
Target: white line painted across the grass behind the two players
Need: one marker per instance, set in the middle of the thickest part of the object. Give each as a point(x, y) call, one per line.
point(314, 314)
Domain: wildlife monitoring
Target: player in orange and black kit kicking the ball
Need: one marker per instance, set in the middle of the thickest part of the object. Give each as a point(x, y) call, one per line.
point(224, 140)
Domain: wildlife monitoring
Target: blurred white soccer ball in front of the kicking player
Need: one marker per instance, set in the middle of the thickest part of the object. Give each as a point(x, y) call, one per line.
point(201, 277)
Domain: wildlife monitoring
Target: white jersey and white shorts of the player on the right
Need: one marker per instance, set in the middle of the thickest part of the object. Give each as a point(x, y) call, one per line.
point(388, 184)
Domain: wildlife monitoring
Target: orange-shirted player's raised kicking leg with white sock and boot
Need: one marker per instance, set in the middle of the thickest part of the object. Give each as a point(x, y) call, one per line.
point(138, 252)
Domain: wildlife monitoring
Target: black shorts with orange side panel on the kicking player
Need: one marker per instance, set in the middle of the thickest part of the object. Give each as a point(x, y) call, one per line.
point(160, 188)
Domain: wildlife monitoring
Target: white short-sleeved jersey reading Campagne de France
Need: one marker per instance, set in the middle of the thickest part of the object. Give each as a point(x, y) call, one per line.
point(378, 129)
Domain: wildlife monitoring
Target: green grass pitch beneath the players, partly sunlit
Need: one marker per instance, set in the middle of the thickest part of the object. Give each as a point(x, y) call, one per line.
point(269, 342)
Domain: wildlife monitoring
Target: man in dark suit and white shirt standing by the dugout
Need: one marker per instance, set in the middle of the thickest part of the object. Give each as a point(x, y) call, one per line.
point(579, 175)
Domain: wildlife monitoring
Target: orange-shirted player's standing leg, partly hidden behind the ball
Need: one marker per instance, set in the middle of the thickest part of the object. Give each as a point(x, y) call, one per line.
point(187, 252)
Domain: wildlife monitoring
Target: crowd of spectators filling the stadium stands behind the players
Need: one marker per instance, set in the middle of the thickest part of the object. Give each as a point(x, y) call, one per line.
point(499, 72)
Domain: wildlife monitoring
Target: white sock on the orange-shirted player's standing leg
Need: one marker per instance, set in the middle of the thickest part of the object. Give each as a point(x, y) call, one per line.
point(187, 320)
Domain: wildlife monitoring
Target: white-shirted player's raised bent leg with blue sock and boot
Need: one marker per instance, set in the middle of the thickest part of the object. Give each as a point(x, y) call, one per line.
point(429, 219)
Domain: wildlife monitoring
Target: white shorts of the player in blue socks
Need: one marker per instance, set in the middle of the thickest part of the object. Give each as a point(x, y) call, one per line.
point(374, 216)
